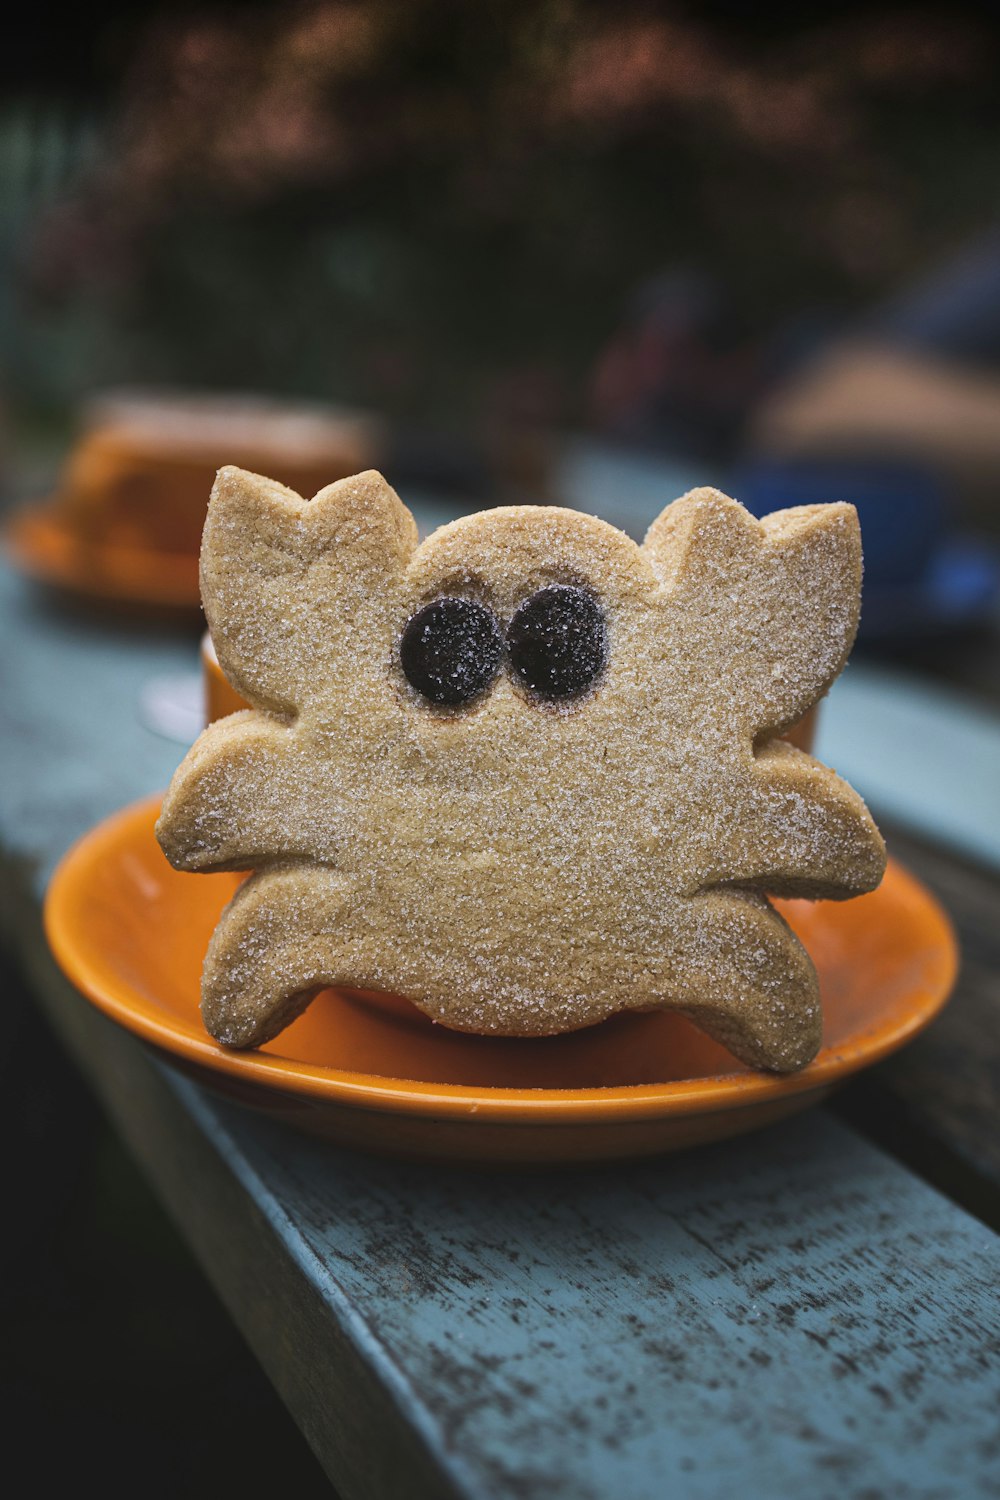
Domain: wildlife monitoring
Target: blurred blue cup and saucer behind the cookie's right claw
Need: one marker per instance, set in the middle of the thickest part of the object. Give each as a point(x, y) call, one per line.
point(918, 578)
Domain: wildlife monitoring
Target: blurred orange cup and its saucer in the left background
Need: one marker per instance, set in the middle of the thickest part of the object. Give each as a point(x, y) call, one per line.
point(125, 526)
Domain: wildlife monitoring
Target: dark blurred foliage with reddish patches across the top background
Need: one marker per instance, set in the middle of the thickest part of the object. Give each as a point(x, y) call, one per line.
point(442, 209)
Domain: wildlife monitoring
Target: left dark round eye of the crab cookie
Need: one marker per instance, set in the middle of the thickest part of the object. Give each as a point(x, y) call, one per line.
point(452, 650)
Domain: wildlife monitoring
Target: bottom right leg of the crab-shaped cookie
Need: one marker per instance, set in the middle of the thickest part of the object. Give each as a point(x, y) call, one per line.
point(753, 986)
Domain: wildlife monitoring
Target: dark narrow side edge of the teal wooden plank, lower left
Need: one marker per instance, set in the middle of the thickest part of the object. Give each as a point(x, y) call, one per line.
point(328, 1384)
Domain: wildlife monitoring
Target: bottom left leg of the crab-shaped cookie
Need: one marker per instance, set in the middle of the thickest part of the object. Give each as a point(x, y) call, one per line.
point(278, 943)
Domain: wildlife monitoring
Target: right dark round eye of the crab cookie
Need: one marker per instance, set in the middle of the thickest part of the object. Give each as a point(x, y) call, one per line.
point(558, 641)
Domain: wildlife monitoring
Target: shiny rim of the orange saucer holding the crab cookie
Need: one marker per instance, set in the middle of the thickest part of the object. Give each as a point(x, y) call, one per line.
point(513, 1106)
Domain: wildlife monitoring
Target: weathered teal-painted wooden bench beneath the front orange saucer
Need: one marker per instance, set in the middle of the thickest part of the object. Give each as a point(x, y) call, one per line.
point(795, 1313)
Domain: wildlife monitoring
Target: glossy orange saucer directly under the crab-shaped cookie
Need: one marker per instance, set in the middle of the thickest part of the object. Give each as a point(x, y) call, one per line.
point(374, 1072)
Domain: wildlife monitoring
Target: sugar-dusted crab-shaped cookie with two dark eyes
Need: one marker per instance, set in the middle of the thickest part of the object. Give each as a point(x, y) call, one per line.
point(525, 773)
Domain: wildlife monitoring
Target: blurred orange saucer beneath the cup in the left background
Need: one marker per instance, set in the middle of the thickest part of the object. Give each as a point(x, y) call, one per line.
point(47, 550)
